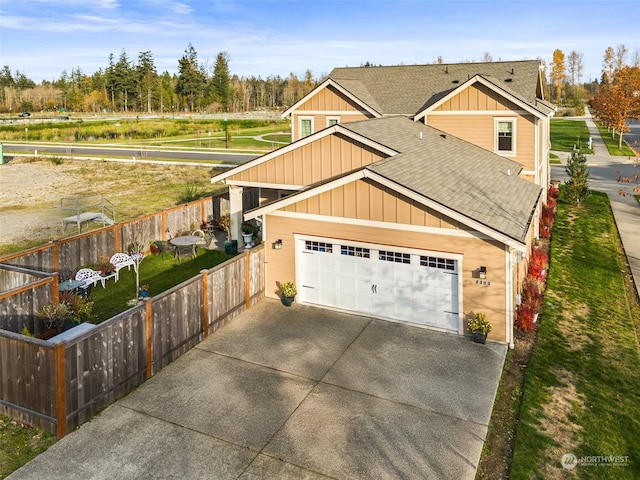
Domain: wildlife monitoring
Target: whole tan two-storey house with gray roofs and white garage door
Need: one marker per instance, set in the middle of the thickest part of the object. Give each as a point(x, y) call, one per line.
point(409, 193)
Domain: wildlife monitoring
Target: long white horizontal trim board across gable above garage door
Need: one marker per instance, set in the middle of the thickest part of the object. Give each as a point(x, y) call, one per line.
point(449, 232)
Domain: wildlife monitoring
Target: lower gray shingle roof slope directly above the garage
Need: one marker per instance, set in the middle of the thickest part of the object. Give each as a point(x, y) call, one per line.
point(461, 176)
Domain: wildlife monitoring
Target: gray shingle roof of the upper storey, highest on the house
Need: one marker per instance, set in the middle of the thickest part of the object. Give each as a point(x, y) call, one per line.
point(408, 89)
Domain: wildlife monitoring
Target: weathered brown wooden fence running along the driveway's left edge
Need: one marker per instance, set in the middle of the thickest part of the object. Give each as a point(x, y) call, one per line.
point(58, 387)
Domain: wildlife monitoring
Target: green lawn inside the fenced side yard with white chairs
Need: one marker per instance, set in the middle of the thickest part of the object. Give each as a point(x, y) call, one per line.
point(159, 272)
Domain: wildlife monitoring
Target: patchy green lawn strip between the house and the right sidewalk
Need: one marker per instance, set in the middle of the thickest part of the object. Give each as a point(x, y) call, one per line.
point(583, 384)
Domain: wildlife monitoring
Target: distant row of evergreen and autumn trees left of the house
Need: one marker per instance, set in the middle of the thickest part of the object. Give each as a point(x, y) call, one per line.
point(128, 86)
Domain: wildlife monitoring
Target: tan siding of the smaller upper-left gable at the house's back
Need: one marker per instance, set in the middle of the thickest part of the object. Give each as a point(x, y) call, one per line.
point(328, 102)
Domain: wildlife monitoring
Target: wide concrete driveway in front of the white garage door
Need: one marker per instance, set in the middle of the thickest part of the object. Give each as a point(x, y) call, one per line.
point(297, 392)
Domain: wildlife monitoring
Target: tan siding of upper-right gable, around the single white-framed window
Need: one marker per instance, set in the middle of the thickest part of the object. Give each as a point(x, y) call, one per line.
point(477, 126)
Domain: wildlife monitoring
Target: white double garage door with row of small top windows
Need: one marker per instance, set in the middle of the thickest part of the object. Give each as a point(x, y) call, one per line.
point(413, 286)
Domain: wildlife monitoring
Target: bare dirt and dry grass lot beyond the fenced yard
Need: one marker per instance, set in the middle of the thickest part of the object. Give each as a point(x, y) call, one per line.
point(31, 191)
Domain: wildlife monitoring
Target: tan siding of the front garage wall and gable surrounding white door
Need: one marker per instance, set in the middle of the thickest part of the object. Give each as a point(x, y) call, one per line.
point(382, 205)
